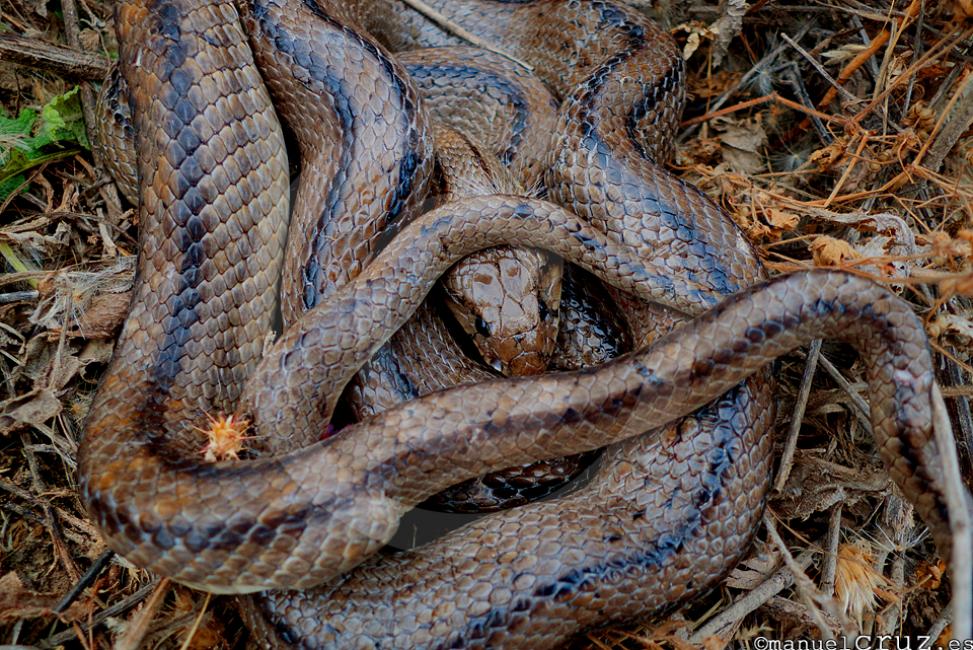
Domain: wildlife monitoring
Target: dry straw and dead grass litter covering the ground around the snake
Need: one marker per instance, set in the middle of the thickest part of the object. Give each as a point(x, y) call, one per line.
point(835, 133)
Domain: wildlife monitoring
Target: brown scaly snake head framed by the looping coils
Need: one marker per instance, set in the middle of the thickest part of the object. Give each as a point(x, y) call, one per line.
point(506, 300)
